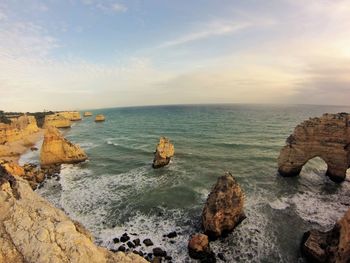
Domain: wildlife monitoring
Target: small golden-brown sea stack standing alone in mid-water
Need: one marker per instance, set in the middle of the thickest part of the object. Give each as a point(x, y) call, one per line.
point(164, 152)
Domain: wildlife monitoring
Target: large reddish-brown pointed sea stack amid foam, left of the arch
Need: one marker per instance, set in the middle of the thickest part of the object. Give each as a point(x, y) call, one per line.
point(223, 210)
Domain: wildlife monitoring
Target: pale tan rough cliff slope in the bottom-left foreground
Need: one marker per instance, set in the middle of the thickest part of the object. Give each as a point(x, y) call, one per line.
point(32, 230)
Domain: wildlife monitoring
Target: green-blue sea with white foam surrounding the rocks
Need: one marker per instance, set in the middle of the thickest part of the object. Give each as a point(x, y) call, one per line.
point(118, 191)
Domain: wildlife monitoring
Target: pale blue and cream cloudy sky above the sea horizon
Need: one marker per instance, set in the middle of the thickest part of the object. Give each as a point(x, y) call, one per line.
point(85, 54)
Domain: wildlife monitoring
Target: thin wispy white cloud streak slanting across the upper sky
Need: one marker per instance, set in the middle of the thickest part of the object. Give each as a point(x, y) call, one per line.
point(213, 29)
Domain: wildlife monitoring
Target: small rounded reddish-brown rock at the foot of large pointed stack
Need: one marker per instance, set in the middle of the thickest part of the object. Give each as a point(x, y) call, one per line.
point(198, 248)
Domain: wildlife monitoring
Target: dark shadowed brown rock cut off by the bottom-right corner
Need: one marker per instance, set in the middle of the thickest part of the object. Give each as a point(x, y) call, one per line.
point(332, 246)
